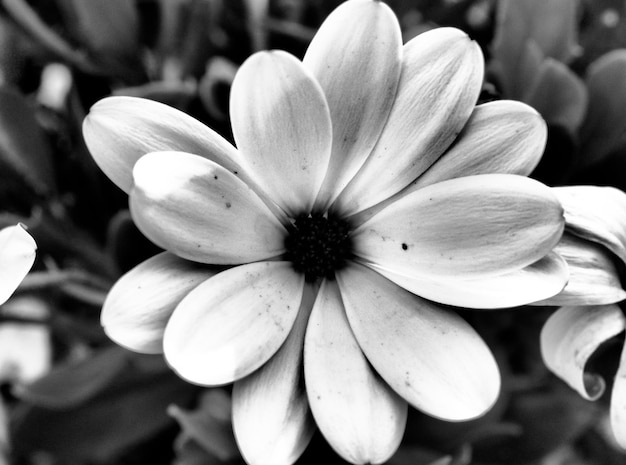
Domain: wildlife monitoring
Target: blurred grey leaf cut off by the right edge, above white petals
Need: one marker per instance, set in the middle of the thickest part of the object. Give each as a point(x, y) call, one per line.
point(604, 128)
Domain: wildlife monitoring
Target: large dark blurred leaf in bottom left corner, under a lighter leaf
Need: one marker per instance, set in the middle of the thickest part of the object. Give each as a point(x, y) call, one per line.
point(130, 410)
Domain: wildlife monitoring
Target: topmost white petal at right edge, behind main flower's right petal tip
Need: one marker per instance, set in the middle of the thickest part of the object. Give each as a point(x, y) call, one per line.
point(605, 225)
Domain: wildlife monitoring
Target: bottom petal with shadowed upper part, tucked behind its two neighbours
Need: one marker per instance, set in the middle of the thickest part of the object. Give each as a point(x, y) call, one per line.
point(271, 416)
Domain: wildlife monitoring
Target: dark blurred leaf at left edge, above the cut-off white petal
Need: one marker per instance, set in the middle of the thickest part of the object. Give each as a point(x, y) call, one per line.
point(23, 145)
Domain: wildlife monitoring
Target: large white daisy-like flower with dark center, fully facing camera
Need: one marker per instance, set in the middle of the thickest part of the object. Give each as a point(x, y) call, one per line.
point(367, 189)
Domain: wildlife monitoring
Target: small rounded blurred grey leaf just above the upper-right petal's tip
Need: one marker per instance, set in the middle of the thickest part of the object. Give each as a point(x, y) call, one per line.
point(559, 95)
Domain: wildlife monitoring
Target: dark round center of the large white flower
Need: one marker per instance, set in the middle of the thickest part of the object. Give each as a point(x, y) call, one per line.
point(318, 246)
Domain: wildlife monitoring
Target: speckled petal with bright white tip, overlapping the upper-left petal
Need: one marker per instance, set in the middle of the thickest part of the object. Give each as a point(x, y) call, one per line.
point(202, 212)
